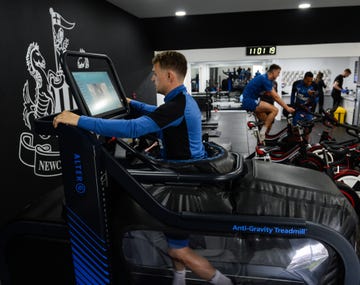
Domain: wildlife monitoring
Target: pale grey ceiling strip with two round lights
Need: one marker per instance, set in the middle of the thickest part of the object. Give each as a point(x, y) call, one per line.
point(167, 8)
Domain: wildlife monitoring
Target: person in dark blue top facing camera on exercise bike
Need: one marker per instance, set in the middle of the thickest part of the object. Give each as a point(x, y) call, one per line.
point(303, 96)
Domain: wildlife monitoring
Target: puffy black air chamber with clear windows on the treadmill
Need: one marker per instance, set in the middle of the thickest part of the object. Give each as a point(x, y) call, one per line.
point(257, 254)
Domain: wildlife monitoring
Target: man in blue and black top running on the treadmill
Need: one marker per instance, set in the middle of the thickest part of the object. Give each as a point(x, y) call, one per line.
point(178, 121)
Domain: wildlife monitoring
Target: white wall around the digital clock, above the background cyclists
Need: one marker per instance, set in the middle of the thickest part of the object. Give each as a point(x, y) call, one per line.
point(335, 57)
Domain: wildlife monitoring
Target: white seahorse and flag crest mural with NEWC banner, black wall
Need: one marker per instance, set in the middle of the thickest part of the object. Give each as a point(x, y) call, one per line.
point(49, 94)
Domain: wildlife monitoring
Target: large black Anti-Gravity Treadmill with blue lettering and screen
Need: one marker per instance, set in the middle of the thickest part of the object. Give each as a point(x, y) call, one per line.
point(257, 222)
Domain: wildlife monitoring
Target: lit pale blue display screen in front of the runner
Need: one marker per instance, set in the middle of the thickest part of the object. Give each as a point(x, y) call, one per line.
point(98, 92)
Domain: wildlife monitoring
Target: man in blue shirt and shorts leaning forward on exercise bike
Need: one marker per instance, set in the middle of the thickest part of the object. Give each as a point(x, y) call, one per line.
point(264, 111)
